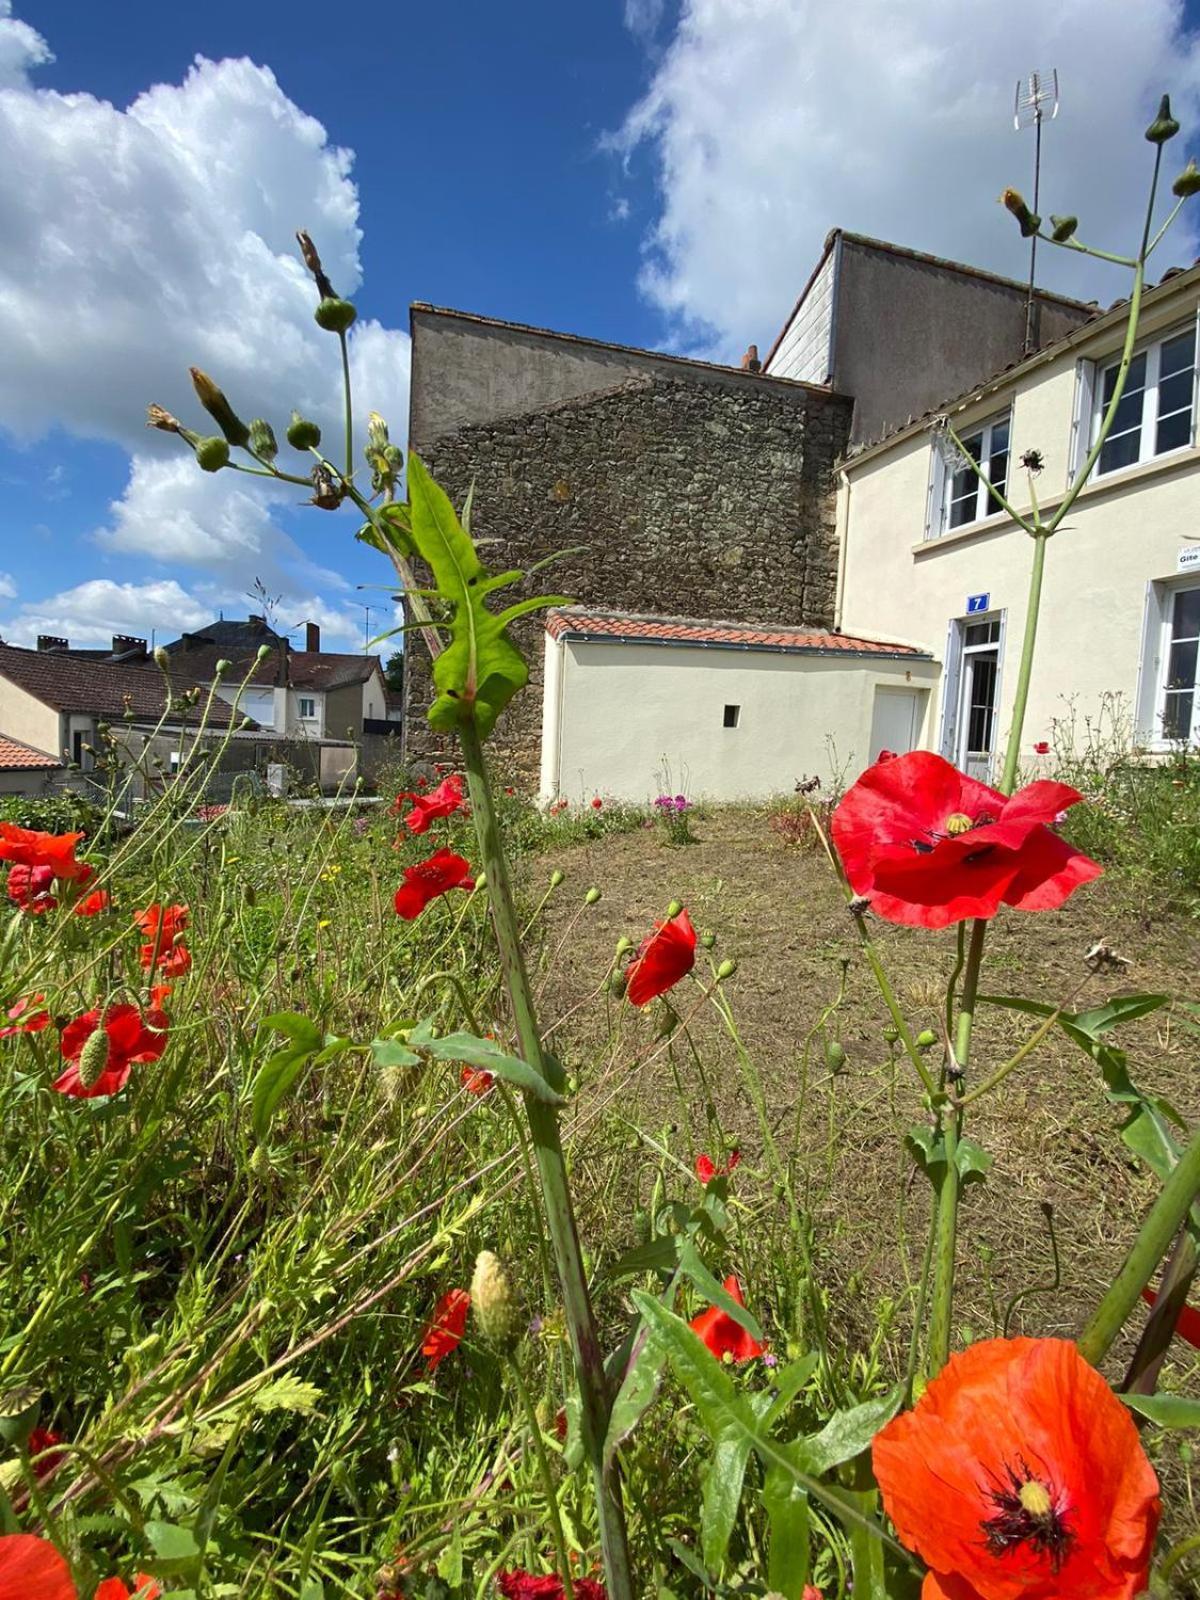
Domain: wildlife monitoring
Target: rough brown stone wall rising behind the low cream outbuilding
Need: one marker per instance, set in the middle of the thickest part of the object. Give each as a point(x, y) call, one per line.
point(689, 497)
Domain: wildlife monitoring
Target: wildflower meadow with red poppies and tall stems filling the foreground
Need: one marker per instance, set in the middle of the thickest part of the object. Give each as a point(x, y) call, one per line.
point(377, 1228)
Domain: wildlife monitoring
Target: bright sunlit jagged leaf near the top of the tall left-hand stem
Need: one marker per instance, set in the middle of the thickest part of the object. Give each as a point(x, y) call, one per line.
point(481, 670)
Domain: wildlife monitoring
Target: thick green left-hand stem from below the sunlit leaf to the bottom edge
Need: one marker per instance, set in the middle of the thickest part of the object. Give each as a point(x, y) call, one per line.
point(594, 1399)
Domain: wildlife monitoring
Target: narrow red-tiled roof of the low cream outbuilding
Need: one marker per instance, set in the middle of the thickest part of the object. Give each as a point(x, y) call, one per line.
point(630, 628)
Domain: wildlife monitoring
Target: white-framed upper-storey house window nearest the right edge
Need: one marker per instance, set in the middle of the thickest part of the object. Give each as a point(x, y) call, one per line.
point(1154, 414)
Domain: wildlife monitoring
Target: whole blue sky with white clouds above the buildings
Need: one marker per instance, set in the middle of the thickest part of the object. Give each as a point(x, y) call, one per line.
point(654, 172)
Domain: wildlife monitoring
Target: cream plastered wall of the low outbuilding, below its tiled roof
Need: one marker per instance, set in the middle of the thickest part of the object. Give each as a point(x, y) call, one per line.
point(631, 721)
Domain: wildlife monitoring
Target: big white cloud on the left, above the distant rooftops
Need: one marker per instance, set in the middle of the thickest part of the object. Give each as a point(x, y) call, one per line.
point(143, 241)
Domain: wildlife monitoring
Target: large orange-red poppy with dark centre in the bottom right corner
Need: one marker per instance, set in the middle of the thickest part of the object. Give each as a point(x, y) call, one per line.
point(1018, 1476)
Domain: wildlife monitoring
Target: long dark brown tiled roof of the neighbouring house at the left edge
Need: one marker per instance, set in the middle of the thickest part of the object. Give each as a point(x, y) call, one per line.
point(100, 689)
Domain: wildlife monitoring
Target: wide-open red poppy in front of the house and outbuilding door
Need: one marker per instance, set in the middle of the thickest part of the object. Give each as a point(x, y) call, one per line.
point(930, 847)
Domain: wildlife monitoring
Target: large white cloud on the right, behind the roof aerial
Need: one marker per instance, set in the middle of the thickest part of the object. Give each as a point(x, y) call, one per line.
point(774, 121)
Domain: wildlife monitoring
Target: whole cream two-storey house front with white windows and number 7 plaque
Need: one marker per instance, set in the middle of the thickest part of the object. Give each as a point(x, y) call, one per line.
point(927, 559)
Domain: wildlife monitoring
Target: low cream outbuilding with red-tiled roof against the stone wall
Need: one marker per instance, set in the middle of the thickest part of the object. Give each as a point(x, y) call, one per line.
point(636, 706)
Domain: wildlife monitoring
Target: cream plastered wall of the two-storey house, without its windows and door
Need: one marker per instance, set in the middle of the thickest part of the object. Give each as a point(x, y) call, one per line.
point(1122, 535)
